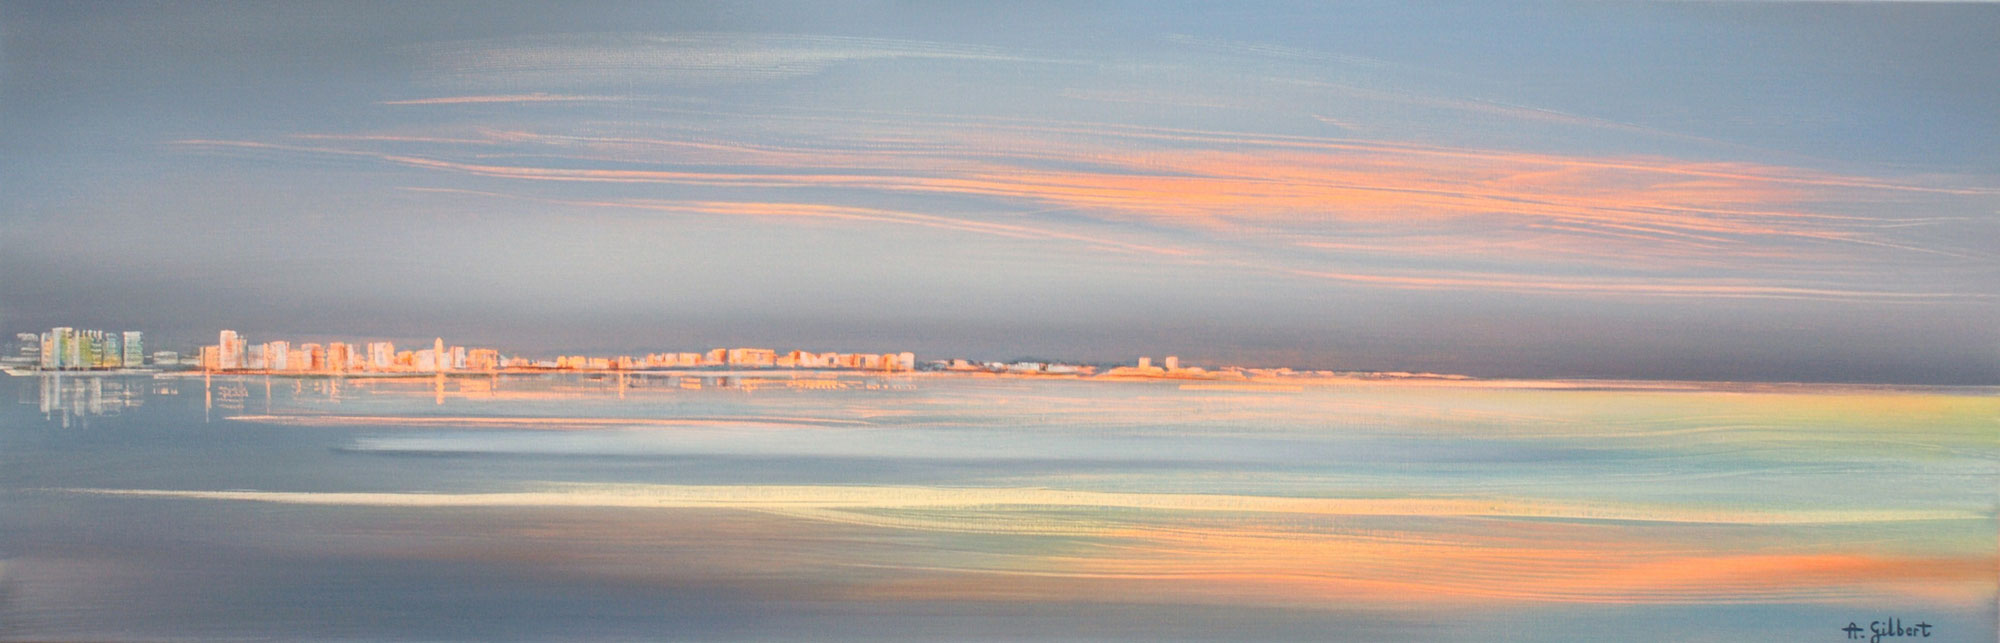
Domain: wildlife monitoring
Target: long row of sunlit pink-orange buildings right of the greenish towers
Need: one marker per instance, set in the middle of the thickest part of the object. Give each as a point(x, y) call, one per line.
point(233, 352)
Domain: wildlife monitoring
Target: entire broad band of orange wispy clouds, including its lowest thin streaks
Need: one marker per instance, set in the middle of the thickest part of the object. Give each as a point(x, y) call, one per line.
point(1343, 211)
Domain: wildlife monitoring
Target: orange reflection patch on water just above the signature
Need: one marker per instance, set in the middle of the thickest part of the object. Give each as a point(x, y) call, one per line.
point(1275, 568)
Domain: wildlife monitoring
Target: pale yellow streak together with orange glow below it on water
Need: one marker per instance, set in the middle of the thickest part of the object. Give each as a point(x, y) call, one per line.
point(1091, 546)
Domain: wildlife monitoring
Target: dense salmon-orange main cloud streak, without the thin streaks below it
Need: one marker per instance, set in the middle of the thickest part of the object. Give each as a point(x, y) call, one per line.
point(1653, 203)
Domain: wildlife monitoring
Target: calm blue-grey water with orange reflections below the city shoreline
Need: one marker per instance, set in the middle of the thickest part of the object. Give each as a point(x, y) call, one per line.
point(957, 508)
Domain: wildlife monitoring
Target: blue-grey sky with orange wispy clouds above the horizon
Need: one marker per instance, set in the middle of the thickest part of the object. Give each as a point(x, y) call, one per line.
point(1543, 191)
